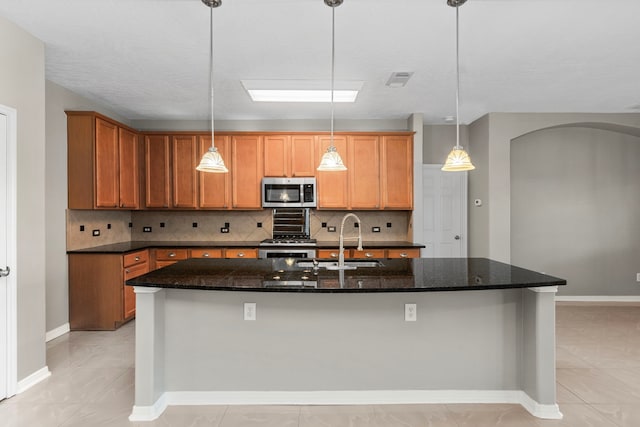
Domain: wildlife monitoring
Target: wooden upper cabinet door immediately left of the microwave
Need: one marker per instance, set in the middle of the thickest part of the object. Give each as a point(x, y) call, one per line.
point(247, 152)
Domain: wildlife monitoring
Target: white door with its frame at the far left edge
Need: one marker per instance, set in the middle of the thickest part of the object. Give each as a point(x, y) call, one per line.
point(8, 325)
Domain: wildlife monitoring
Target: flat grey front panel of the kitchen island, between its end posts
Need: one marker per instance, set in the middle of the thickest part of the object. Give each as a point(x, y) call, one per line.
point(311, 342)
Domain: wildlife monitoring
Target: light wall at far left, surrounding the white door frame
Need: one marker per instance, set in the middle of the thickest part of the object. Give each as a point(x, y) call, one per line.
point(22, 88)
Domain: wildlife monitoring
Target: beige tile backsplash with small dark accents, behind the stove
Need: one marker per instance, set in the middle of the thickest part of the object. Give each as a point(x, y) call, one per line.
point(206, 226)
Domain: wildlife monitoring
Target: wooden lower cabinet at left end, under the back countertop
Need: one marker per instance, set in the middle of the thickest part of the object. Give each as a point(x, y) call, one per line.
point(98, 297)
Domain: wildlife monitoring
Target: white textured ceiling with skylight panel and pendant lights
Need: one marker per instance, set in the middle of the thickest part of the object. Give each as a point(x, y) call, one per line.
point(148, 59)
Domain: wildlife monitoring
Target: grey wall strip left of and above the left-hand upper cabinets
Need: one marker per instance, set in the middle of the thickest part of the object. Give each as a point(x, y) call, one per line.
point(59, 99)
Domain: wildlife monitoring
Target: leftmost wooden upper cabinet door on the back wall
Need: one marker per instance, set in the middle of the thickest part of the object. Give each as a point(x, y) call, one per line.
point(156, 153)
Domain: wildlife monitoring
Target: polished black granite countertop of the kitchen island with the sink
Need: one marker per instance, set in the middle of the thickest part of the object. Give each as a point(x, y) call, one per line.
point(395, 275)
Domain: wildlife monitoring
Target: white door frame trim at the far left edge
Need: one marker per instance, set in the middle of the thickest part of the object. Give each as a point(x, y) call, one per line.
point(12, 246)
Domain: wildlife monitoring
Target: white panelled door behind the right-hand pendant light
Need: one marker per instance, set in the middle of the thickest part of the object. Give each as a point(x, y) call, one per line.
point(445, 213)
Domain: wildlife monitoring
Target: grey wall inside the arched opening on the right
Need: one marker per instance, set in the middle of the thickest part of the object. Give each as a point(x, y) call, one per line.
point(575, 208)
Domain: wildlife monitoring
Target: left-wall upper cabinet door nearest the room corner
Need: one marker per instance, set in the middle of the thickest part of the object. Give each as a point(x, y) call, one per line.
point(129, 169)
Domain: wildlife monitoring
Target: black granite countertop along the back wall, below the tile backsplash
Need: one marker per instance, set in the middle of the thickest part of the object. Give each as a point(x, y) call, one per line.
point(121, 248)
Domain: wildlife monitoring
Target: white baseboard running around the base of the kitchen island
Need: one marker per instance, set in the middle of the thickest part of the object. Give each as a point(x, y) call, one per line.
point(371, 397)
